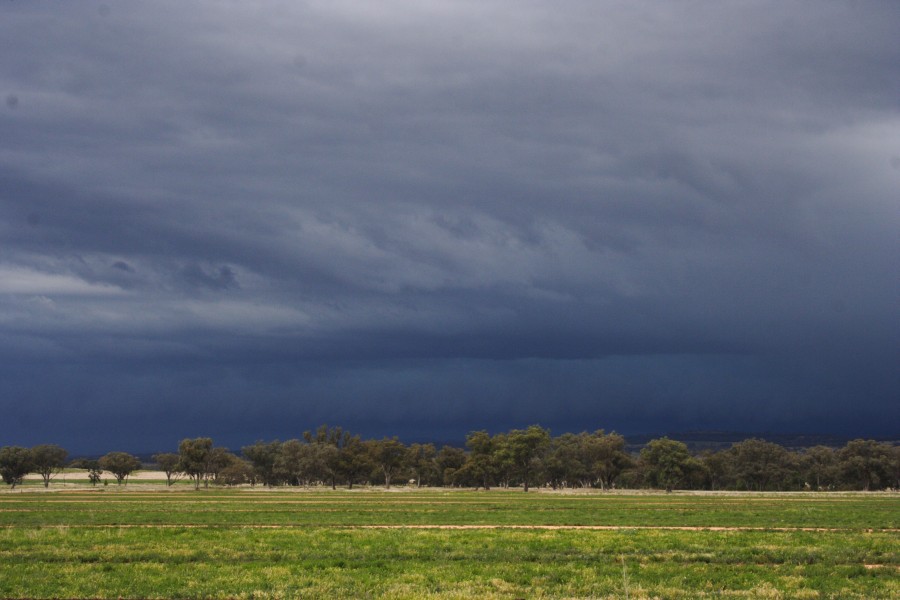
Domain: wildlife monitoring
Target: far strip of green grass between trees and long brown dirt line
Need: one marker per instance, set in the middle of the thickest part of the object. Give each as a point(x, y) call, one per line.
point(216, 507)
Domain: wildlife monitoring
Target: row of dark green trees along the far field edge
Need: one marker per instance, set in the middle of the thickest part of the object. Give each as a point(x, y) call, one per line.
point(517, 458)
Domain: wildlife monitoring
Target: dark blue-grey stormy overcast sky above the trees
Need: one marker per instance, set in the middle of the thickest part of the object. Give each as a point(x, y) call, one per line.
point(423, 218)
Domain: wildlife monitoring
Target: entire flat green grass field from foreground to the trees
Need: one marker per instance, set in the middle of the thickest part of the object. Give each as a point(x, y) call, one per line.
point(149, 542)
